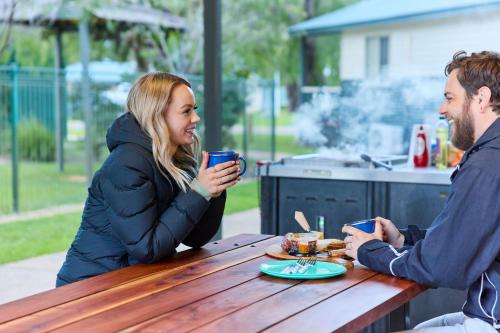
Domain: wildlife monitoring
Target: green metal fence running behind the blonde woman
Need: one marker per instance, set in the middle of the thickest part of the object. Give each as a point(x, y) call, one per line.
point(31, 177)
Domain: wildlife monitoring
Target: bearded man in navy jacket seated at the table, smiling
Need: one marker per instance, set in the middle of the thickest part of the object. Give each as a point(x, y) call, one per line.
point(461, 249)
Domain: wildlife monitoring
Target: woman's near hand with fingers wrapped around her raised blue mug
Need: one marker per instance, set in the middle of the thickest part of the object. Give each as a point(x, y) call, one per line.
point(219, 177)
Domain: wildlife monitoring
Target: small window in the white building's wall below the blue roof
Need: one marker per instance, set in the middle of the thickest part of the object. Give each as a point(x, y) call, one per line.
point(377, 56)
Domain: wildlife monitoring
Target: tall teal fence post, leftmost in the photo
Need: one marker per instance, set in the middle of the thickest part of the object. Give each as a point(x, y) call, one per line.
point(14, 121)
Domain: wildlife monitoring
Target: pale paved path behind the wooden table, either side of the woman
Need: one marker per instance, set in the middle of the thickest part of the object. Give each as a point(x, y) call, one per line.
point(27, 277)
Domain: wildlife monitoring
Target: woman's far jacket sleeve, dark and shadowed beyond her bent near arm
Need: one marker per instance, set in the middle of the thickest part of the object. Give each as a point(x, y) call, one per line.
point(210, 222)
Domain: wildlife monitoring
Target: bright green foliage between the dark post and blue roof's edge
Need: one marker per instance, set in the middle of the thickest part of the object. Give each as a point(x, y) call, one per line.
point(258, 41)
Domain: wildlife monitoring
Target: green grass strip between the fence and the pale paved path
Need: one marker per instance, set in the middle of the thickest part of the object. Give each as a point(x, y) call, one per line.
point(26, 239)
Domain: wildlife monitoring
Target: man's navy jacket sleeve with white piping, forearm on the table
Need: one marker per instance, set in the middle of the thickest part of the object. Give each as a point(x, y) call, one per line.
point(460, 245)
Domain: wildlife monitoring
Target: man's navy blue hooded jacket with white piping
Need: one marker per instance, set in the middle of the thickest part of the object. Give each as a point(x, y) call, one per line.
point(461, 249)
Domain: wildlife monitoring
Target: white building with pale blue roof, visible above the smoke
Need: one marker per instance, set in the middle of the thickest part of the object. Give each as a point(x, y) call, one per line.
point(402, 38)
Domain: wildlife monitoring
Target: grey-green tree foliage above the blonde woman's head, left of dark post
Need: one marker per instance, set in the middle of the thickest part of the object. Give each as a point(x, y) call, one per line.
point(160, 47)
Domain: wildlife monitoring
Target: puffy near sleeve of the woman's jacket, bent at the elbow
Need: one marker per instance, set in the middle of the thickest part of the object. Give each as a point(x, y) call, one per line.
point(147, 234)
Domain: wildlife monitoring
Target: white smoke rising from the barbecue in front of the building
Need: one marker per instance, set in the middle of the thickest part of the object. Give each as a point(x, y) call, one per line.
point(374, 116)
